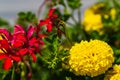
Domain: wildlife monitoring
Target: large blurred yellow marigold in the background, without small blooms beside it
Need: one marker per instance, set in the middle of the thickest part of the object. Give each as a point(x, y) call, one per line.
point(92, 21)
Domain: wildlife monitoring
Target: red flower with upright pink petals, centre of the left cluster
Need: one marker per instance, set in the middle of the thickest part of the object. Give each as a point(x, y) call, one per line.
point(25, 39)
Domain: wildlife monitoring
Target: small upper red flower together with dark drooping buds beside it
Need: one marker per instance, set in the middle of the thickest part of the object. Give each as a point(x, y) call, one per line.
point(52, 21)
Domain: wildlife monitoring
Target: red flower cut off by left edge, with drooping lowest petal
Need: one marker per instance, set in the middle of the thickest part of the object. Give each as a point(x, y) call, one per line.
point(7, 54)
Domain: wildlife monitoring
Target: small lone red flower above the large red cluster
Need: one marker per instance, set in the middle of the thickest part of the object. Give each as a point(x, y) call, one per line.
point(49, 21)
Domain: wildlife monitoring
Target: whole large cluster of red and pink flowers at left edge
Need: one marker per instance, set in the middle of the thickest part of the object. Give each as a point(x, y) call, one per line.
point(15, 46)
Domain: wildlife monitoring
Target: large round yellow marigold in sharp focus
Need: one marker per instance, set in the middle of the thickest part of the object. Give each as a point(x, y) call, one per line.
point(90, 58)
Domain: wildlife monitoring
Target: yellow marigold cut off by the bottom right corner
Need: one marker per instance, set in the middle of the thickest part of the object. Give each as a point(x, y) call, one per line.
point(113, 74)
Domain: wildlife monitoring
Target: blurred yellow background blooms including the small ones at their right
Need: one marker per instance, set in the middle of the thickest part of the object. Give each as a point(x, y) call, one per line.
point(93, 17)
